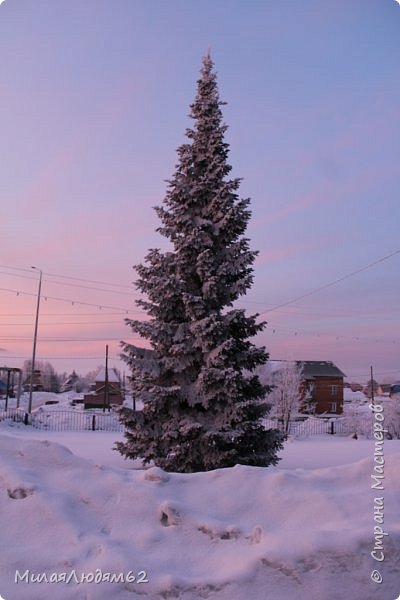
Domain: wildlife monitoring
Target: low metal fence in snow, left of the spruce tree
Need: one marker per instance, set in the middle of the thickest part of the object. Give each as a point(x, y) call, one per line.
point(65, 420)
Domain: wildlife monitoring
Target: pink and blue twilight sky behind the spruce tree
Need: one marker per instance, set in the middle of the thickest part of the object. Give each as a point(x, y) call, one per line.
point(93, 104)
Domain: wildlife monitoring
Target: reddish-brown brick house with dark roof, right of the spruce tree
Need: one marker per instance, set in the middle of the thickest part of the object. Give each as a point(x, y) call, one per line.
point(324, 381)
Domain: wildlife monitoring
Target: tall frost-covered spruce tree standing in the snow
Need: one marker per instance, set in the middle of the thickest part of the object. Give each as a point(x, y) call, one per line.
point(202, 402)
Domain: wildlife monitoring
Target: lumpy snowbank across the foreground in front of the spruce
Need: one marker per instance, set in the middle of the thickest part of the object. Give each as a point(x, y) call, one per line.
point(237, 533)
